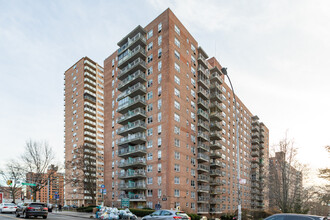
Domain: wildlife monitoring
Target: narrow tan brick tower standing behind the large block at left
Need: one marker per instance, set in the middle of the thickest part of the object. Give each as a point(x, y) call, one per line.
point(84, 133)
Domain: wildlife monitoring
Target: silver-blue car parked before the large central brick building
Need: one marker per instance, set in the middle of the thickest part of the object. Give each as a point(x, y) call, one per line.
point(167, 215)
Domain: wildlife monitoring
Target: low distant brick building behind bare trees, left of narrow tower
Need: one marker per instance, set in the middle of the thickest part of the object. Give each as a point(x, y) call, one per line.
point(56, 187)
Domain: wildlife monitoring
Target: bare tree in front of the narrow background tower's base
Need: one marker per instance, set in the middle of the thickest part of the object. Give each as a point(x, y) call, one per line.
point(81, 173)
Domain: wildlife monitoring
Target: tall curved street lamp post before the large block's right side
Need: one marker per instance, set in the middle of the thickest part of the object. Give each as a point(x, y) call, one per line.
point(239, 207)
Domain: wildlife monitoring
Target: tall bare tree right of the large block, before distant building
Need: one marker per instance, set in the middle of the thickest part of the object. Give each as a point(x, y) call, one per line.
point(285, 177)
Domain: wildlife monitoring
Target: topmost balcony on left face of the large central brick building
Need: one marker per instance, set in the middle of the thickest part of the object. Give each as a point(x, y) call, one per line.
point(132, 40)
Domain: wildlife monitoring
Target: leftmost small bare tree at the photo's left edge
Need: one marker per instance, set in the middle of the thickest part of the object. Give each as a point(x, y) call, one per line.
point(13, 175)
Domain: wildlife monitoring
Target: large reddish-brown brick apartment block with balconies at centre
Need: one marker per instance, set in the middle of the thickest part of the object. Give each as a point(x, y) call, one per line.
point(170, 127)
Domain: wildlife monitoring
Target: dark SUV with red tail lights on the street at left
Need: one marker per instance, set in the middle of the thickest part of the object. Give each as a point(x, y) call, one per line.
point(32, 209)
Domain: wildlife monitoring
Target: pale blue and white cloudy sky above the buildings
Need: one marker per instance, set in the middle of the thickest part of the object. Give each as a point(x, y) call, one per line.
point(276, 52)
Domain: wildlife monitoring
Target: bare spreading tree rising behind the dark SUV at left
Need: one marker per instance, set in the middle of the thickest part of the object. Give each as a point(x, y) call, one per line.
point(37, 158)
